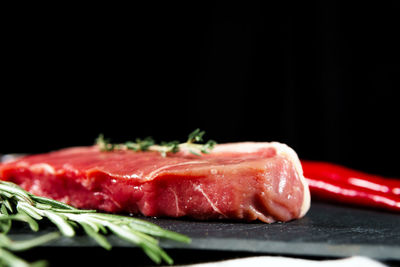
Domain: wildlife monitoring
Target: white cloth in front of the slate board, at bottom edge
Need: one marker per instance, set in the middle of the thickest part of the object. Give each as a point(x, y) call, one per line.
point(272, 261)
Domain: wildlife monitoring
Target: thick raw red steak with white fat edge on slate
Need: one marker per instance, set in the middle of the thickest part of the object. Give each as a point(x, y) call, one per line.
point(246, 181)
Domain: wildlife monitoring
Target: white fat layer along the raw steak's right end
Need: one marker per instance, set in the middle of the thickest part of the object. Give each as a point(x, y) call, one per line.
point(283, 150)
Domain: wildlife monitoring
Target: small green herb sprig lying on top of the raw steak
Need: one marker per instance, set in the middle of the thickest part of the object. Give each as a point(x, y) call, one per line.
point(148, 144)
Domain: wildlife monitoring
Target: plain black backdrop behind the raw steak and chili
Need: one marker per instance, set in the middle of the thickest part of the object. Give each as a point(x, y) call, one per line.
point(321, 77)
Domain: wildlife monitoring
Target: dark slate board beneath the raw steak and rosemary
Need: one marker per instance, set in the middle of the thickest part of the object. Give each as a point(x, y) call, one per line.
point(326, 231)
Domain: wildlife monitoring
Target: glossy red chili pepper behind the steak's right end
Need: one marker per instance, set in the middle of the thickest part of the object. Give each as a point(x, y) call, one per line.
point(341, 184)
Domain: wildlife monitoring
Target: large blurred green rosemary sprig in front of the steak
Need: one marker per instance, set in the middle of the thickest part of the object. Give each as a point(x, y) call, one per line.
point(18, 204)
